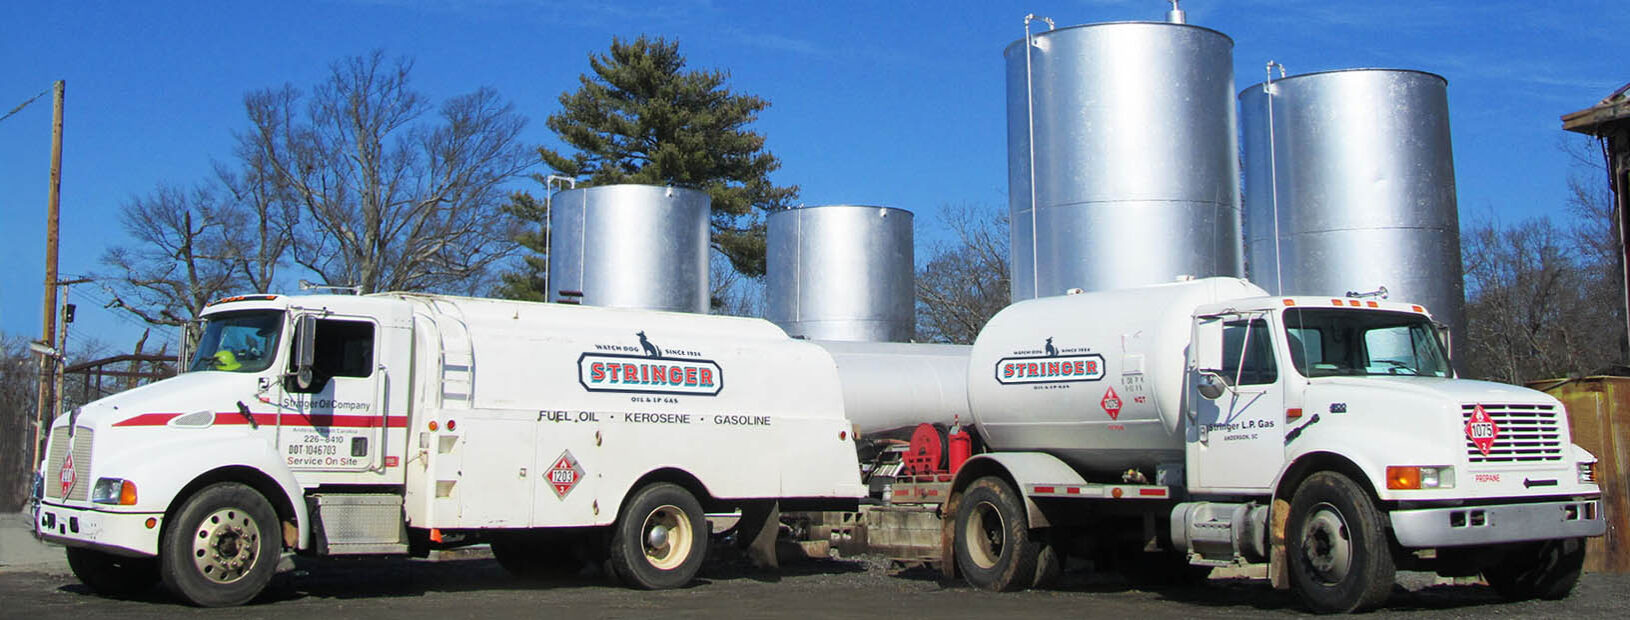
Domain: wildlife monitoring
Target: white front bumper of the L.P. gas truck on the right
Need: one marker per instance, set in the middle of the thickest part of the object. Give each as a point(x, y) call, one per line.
point(1499, 523)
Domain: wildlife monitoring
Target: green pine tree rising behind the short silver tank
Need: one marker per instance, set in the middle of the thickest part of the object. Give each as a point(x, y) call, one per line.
point(643, 118)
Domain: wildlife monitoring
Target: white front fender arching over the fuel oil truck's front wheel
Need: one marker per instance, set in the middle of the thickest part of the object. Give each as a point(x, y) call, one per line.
point(162, 469)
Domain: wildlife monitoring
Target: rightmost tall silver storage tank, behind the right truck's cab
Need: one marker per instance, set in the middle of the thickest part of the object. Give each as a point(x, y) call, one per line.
point(1357, 169)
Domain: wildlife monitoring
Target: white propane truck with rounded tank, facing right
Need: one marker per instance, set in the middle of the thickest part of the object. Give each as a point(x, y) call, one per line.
point(1204, 423)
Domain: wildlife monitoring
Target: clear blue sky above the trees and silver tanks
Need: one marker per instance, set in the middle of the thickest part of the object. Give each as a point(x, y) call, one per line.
point(891, 104)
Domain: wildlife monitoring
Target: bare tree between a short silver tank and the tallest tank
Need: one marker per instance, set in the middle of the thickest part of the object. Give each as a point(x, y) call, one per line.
point(966, 283)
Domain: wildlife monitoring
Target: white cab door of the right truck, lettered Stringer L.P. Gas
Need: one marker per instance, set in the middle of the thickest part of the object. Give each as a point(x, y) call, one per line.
point(1236, 440)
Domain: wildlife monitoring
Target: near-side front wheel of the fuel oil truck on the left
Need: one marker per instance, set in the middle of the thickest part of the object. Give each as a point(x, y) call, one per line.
point(222, 547)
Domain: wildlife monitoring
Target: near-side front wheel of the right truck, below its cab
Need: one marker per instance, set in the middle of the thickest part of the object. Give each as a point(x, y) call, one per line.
point(1339, 556)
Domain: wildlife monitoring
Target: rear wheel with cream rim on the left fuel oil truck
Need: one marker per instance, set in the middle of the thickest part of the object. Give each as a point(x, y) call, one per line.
point(661, 539)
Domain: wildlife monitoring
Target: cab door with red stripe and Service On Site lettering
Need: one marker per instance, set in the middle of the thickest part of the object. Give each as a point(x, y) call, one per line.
point(337, 422)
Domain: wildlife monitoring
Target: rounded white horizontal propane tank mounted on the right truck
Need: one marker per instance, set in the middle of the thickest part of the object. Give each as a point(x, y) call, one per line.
point(1095, 379)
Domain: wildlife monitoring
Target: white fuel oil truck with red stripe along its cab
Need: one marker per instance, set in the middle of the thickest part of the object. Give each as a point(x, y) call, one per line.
point(400, 423)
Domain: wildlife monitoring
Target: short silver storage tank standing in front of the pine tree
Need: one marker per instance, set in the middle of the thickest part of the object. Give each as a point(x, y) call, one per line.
point(630, 247)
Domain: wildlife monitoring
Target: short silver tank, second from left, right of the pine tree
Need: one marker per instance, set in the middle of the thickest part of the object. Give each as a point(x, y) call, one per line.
point(842, 273)
